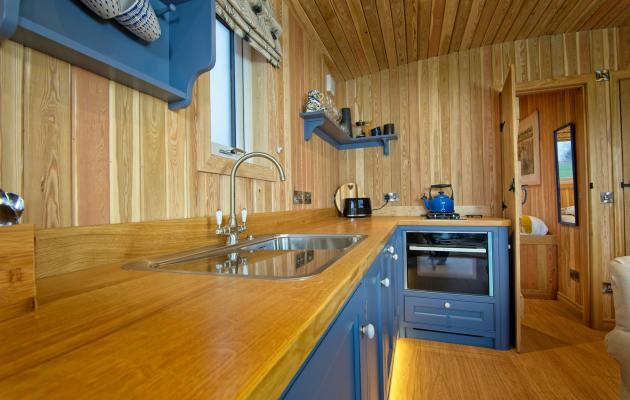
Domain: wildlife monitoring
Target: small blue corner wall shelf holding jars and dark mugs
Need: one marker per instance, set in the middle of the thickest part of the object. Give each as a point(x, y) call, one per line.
point(319, 123)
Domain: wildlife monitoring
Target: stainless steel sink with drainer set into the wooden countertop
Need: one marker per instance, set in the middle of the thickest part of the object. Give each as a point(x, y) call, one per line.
point(279, 256)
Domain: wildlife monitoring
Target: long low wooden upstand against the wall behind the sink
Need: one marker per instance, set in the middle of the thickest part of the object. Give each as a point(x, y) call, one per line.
point(88, 246)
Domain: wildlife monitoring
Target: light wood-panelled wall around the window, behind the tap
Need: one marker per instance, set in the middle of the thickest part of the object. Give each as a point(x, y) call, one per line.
point(84, 150)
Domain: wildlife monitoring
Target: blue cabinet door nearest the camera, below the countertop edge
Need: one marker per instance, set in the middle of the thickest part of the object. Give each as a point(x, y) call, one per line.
point(333, 370)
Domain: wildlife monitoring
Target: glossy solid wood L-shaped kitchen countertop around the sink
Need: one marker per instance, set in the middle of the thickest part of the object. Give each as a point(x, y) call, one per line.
point(166, 335)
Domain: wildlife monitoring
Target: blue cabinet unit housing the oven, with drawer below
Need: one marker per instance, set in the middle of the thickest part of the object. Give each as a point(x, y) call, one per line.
point(455, 285)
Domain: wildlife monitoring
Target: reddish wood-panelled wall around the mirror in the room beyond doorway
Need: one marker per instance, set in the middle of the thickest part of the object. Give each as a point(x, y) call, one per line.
point(556, 109)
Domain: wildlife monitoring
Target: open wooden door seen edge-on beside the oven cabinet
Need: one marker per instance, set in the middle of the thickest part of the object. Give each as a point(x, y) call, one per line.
point(511, 189)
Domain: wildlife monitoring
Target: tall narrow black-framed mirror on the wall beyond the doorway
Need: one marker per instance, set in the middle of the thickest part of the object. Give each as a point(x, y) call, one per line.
point(566, 174)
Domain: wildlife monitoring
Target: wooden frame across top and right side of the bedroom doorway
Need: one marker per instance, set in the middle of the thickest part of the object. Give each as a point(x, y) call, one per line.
point(559, 84)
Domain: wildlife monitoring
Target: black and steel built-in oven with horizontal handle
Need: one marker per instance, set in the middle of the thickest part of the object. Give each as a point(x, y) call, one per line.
point(450, 262)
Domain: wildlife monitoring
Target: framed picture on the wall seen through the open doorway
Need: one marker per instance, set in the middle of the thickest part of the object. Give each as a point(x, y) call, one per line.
point(529, 149)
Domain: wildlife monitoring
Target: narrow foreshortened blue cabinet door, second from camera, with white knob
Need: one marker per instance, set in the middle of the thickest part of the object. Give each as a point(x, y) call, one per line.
point(371, 366)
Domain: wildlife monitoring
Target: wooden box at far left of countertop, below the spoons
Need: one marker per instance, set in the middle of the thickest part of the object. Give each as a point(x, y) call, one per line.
point(17, 271)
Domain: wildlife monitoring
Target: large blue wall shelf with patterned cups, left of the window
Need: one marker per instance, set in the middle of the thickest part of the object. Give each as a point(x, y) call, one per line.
point(166, 69)
